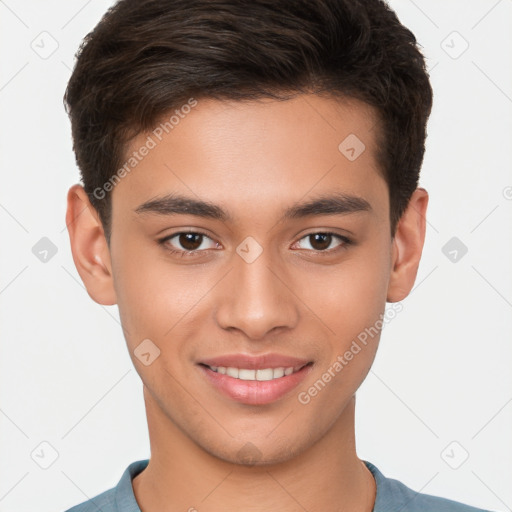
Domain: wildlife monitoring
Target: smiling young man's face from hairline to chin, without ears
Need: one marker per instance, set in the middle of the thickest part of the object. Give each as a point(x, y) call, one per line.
point(254, 283)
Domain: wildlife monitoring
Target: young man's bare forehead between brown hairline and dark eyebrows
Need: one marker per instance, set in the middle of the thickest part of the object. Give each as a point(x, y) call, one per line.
point(256, 157)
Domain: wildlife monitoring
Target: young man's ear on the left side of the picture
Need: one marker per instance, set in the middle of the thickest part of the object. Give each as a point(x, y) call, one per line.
point(89, 247)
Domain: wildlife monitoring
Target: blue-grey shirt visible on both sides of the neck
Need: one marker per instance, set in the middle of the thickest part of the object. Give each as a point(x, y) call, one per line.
point(392, 496)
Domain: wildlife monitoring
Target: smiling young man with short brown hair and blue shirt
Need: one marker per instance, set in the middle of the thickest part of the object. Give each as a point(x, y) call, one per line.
point(250, 201)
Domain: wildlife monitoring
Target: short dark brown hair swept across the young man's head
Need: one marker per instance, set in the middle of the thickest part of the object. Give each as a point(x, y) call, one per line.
point(147, 57)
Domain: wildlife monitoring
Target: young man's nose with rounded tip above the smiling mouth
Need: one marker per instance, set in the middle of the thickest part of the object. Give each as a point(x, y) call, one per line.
point(255, 298)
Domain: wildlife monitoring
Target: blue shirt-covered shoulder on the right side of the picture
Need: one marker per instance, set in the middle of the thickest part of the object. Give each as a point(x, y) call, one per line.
point(393, 495)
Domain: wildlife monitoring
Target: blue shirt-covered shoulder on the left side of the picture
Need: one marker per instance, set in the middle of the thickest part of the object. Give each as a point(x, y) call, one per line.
point(117, 499)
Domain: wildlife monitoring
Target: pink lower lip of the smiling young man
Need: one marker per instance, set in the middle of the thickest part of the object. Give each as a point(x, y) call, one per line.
point(255, 392)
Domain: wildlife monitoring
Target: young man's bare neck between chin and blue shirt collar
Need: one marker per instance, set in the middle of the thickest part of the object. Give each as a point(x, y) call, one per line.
point(183, 476)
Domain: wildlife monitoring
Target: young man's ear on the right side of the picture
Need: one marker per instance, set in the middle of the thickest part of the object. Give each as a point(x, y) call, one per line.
point(407, 246)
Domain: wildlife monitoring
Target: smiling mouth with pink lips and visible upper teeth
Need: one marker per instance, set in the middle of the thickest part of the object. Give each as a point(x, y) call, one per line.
point(255, 380)
